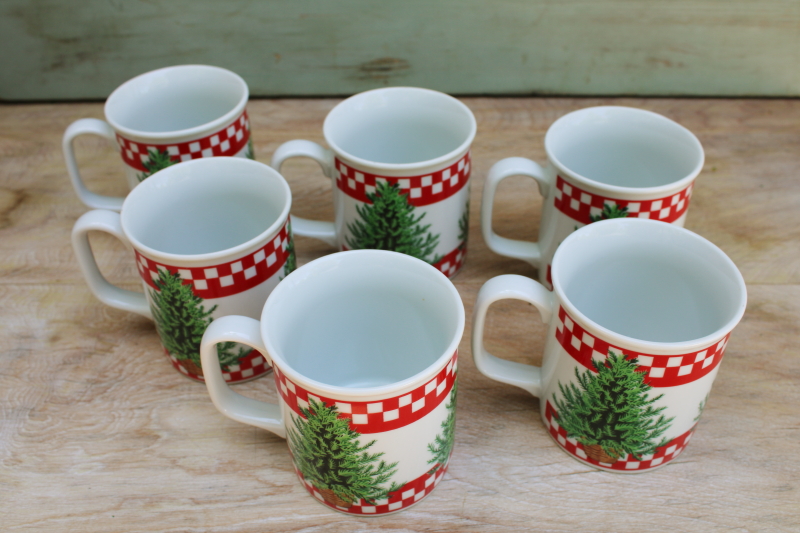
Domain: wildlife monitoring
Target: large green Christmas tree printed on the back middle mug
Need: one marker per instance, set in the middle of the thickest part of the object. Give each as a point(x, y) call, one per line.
point(389, 224)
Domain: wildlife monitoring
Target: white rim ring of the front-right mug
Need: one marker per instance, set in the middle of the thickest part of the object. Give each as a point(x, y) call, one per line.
point(633, 343)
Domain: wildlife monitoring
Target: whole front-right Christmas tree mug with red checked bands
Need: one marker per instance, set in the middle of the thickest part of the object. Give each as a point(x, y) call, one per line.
point(637, 325)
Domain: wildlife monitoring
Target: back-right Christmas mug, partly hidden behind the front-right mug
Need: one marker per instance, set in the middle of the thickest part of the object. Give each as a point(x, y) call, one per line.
point(602, 162)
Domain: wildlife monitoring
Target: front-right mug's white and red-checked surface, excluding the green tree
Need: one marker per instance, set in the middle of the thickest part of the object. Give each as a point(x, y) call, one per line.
point(643, 288)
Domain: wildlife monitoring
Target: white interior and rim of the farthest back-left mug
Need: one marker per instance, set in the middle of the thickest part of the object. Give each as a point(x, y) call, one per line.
point(175, 99)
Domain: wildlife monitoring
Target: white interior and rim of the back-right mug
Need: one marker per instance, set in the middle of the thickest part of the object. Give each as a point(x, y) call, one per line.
point(624, 147)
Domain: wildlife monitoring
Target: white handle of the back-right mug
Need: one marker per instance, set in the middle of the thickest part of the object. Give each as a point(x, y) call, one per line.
point(512, 166)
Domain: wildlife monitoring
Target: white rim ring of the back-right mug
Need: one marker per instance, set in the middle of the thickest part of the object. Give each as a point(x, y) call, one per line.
point(619, 189)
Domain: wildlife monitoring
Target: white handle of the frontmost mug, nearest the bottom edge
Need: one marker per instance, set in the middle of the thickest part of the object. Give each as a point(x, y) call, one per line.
point(243, 330)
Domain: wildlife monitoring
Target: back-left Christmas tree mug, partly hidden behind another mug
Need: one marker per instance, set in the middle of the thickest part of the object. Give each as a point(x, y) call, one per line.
point(164, 117)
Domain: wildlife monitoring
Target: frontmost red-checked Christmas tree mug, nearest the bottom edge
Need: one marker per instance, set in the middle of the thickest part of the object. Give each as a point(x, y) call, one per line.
point(364, 346)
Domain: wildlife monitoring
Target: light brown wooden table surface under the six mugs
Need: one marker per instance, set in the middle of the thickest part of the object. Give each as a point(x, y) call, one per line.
point(99, 433)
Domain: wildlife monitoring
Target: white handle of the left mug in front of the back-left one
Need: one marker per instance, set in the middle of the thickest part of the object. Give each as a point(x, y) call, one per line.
point(109, 222)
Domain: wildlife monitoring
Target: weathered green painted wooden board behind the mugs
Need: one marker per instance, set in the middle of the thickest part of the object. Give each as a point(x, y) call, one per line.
point(58, 49)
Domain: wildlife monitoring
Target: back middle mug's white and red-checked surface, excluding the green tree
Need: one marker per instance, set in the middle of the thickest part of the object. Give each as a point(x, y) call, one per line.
point(399, 133)
